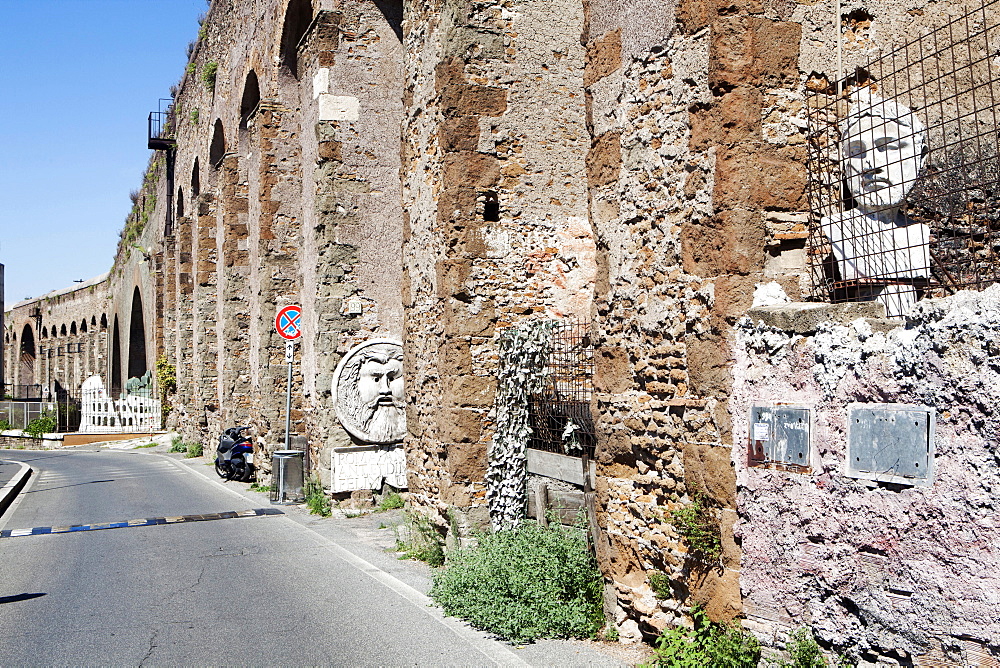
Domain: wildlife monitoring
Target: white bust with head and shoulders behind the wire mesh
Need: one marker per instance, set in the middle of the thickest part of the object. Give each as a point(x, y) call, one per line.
point(886, 254)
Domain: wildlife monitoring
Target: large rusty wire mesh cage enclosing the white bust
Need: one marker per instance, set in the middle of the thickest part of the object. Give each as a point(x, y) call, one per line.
point(904, 169)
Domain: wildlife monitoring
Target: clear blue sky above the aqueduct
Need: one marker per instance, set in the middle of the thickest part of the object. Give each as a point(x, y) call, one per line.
point(78, 78)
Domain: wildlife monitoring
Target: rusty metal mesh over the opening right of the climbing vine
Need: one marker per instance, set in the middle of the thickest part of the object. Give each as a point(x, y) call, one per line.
point(568, 396)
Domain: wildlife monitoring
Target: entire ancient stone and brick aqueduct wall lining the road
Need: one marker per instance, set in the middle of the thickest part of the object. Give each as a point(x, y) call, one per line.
point(438, 172)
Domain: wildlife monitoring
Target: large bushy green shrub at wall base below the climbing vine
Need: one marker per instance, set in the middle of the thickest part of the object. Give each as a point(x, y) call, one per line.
point(525, 583)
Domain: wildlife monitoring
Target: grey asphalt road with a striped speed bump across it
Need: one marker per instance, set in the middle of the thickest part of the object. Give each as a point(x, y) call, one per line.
point(257, 589)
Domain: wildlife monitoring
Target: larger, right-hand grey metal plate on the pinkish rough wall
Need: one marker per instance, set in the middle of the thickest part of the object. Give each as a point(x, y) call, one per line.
point(890, 442)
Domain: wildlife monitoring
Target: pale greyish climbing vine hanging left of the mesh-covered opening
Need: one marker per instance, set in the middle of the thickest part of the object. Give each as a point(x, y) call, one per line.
point(523, 354)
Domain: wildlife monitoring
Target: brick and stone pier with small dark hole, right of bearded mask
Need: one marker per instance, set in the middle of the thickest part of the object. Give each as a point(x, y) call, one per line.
point(496, 230)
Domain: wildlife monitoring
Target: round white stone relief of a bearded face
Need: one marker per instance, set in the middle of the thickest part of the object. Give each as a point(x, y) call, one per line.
point(368, 392)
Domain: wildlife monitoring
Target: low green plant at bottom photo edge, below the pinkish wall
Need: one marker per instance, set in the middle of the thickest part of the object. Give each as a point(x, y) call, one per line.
point(707, 644)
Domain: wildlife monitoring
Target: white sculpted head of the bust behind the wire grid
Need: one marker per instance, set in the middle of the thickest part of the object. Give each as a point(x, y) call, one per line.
point(883, 146)
